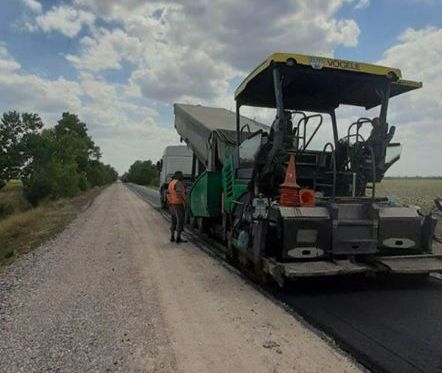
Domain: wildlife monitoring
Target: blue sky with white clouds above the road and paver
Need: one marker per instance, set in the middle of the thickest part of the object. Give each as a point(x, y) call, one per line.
point(121, 64)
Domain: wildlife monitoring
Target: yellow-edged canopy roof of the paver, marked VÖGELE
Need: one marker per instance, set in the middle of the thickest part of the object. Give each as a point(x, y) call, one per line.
point(320, 83)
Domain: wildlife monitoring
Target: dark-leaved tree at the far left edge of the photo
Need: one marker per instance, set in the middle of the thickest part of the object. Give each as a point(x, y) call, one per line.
point(15, 129)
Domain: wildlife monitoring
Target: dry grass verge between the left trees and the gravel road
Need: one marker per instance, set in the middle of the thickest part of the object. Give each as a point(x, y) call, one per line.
point(23, 231)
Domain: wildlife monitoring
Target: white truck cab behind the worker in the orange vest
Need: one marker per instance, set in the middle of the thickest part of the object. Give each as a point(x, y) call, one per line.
point(175, 158)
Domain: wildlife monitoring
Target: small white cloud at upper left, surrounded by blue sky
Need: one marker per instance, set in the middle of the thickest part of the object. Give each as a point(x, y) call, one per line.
point(65, 19)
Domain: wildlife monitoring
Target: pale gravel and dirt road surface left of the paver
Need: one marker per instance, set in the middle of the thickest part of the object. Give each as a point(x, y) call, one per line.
point(112, 294)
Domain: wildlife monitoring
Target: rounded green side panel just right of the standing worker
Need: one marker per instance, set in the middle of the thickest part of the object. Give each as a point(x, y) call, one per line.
point(205, 196)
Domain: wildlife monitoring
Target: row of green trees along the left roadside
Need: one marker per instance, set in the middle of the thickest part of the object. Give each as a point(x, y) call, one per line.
point(52, 162)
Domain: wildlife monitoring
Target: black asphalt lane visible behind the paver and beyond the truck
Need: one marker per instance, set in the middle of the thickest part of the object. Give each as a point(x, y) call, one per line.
point(389, 324)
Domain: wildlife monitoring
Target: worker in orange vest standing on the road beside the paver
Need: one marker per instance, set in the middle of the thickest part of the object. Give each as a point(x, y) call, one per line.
point(176, 197)
